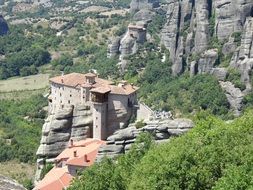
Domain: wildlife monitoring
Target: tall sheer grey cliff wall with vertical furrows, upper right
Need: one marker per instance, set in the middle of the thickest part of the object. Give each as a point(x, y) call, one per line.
point(192, 25)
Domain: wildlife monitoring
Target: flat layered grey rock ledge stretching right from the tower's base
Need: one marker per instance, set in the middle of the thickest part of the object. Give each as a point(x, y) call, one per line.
point(122, 140)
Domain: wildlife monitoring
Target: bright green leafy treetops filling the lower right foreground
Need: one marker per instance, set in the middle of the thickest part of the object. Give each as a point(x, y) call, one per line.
point(214, 155)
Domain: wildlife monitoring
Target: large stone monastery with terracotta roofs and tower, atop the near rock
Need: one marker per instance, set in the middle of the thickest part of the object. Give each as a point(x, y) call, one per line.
point(112, 105)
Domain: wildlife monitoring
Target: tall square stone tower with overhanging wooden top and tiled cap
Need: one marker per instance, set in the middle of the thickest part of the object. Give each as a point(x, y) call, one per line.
point(99, 99)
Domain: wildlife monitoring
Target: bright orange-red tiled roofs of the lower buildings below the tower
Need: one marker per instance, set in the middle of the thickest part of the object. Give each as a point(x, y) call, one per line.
point(60, 178)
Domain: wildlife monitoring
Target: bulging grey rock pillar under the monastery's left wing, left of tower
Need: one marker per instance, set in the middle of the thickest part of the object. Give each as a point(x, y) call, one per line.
point(69, 123)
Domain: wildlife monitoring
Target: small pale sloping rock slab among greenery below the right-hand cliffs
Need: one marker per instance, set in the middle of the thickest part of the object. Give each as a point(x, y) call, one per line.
point(234, 96)
